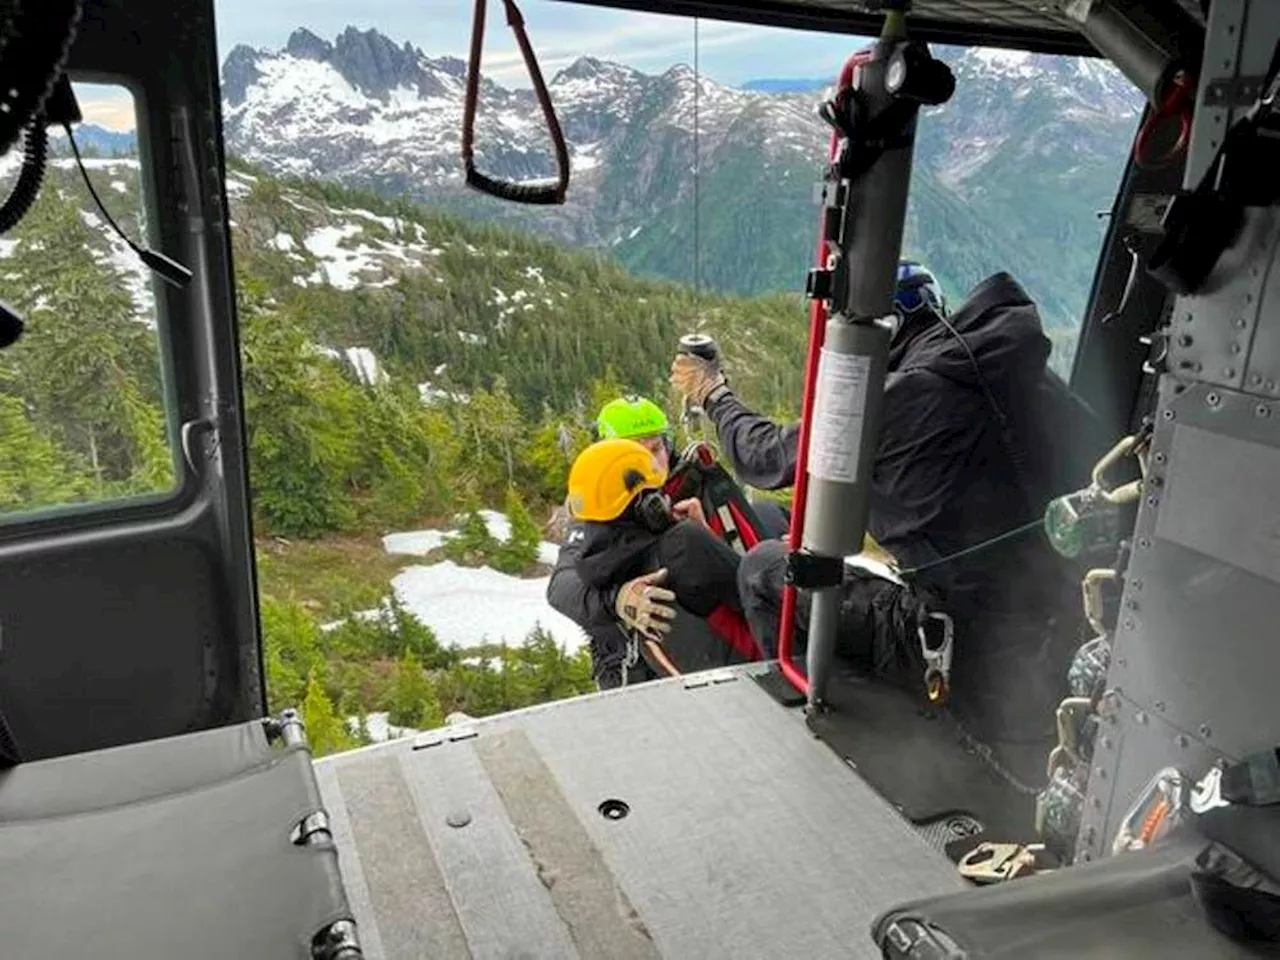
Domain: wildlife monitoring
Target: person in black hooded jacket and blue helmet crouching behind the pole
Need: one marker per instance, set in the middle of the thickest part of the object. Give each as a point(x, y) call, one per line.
point(979, 435)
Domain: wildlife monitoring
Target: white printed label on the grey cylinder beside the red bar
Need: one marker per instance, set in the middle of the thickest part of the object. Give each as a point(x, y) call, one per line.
point(840, 403)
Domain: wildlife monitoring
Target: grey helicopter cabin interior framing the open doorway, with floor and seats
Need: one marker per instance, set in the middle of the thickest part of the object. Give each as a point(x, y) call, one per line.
point(144, 769)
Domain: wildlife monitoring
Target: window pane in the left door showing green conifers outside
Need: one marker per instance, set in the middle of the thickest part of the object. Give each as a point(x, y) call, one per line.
point(84, 414)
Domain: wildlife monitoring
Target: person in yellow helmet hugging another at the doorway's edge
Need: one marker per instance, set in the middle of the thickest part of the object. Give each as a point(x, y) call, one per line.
point(653, 577)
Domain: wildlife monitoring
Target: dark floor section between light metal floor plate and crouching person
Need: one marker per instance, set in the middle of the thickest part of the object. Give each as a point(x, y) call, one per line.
point(920, 762)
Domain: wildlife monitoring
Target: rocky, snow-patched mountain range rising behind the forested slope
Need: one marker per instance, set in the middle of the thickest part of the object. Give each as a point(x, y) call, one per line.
point(1021, 159)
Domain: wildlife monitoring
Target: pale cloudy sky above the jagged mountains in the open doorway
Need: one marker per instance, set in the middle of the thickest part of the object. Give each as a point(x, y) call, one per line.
point(560, 33)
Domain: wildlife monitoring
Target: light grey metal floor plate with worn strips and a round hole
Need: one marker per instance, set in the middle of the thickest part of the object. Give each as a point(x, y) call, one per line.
point(743, 836)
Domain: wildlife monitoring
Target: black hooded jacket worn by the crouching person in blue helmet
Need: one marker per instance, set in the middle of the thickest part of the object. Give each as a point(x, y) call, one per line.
point(948, 474)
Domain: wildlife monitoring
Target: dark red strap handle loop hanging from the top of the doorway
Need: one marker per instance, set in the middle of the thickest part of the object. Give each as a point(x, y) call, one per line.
point(508, 190)
